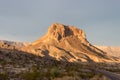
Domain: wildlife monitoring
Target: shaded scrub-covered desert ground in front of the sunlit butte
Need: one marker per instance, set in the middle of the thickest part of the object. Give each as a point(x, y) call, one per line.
point(18, 65)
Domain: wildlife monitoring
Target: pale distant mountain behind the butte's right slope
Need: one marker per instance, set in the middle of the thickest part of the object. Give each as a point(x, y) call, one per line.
point(110, 50)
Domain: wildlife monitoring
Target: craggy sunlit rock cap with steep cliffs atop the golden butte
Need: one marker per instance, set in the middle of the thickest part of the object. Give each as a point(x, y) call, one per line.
point(59, 31)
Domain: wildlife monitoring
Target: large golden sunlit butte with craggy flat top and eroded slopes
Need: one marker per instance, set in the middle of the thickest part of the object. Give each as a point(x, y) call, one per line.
point(67, 43)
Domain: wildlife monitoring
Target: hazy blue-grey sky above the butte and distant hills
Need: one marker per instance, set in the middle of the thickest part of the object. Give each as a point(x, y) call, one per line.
point(28, 20)
